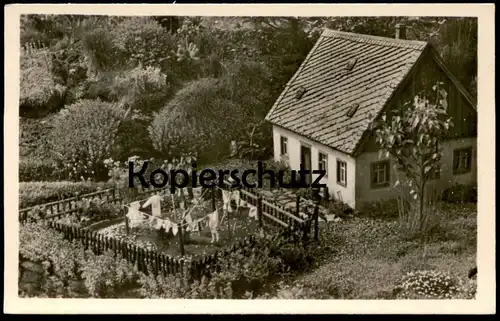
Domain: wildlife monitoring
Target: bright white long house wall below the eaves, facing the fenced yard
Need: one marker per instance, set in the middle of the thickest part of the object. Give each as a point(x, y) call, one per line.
point(294, 143)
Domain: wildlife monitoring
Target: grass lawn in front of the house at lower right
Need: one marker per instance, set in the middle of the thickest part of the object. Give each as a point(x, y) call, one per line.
point(370, 256)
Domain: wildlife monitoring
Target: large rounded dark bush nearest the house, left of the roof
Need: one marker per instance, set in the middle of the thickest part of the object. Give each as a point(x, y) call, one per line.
point(207, 116)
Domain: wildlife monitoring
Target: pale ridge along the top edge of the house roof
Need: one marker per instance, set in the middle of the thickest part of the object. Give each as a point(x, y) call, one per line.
point(414, 44)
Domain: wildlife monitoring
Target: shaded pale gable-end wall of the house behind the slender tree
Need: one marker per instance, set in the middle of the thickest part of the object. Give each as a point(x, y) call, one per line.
point(365, 194)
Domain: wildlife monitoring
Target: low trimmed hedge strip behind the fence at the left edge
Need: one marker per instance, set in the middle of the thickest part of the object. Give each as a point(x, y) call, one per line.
point(36, 193)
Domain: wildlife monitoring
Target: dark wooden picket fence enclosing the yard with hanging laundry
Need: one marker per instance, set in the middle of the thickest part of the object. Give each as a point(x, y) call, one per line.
point(155, 261)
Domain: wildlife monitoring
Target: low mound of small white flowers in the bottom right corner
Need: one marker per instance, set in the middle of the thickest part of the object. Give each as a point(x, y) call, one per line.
point(427, 284)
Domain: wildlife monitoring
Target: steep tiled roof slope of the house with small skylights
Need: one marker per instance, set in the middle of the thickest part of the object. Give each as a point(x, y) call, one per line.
point(331, 89)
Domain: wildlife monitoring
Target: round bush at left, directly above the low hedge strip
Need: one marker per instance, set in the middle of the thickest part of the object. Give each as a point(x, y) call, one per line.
point(84, 135)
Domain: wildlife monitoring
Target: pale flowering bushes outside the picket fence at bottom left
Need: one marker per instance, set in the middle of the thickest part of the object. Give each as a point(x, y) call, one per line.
point(104, 275)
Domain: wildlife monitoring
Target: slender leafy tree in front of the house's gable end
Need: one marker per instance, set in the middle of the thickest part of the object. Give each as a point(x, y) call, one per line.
point(412, 139)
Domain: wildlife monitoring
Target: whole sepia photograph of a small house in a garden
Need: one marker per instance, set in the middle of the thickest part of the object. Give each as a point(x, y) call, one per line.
point(232, 157)
